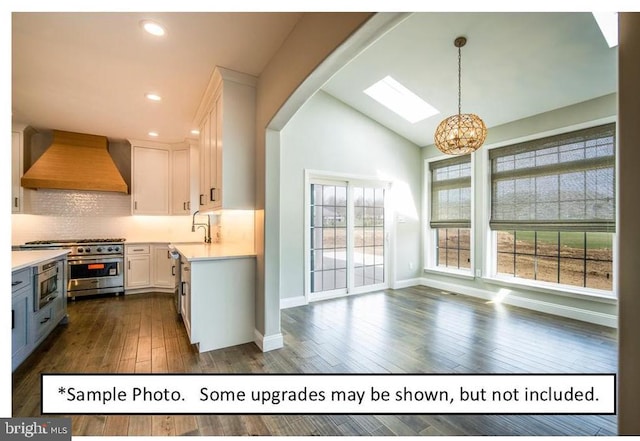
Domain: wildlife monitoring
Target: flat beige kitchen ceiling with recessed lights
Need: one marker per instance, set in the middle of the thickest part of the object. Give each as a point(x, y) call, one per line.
point(89, 72)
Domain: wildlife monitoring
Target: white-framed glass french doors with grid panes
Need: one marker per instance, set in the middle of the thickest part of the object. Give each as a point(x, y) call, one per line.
point(347, 237)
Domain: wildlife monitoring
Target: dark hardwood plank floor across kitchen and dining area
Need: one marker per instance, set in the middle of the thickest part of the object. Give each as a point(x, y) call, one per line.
point(410, 330)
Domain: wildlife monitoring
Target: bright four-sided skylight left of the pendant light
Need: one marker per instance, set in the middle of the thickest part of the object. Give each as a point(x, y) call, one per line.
point(401, 100)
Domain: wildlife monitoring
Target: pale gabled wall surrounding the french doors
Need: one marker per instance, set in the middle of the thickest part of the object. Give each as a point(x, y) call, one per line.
point(327, 135)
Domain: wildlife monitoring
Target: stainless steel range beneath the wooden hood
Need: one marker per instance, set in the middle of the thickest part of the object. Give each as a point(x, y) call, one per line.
point(94, 266)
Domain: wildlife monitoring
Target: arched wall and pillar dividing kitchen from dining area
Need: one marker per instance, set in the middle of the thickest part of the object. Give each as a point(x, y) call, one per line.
point(297, 60)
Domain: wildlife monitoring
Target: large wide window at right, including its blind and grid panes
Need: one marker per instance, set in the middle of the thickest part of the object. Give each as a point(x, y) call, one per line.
point(553, 208)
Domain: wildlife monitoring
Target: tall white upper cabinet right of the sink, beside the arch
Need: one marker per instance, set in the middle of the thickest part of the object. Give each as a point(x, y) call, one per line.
point(227, 142)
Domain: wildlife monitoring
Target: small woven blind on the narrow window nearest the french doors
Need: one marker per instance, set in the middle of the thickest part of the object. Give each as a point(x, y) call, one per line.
point(451, 192)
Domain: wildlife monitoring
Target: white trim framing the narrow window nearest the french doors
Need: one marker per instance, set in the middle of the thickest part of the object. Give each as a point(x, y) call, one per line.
point(429, 247)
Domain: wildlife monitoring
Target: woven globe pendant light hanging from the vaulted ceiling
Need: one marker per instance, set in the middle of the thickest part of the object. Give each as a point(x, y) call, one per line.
point(462, 133)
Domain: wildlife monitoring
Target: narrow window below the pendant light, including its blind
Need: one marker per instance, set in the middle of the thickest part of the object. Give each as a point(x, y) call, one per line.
point(451, 212)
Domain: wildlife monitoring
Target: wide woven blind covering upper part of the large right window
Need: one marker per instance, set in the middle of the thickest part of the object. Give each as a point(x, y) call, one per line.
point(560, 183)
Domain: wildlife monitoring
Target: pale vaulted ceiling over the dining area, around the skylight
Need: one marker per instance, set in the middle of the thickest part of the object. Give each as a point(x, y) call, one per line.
point(514, 65)
